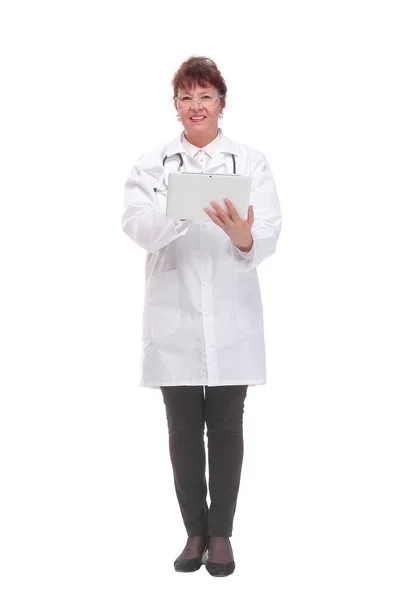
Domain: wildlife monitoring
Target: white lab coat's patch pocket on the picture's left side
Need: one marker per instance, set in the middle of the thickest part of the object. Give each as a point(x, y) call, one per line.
point(161, 309)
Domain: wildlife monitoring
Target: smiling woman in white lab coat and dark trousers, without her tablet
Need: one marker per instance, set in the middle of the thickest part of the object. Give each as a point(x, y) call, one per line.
point(203, 334)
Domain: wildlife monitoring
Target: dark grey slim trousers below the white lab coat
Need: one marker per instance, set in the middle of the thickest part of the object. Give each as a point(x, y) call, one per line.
point(188, 408)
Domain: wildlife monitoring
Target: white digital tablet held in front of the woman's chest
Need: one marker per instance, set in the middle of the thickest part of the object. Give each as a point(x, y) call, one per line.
point(189, 193)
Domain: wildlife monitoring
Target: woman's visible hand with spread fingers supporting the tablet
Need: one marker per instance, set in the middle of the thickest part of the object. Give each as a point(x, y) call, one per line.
point(238, 229)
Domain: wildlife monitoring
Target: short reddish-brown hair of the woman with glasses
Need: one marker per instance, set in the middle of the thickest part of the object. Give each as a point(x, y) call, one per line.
point(202, 71)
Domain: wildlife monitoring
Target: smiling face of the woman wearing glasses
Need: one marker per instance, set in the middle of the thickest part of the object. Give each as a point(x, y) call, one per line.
point(199, 120)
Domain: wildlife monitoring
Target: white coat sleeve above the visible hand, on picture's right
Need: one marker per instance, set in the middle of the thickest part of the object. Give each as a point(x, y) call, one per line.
point(267, 218)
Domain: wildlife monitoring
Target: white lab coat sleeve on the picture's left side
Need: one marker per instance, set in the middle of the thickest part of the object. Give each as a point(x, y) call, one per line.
point(144, 219)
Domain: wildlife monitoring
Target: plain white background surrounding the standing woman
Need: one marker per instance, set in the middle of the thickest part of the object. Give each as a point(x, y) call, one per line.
point(88, 507)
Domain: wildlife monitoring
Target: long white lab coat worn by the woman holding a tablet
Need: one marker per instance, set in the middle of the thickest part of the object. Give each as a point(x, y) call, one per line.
point(202, 311)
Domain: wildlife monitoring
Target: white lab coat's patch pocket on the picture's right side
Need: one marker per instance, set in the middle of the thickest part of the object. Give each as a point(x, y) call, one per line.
point(249, 311)
